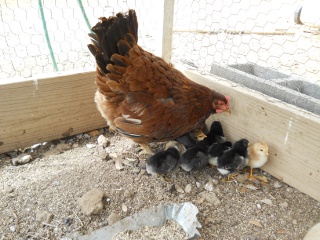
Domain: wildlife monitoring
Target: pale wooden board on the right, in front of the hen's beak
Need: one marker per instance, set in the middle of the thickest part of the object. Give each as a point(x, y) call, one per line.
point(293, 135)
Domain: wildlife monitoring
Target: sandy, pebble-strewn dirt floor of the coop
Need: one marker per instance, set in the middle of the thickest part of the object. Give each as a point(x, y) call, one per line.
point(64, 170)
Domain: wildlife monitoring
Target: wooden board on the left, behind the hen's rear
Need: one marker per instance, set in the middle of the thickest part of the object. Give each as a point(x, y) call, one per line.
point(43, 109)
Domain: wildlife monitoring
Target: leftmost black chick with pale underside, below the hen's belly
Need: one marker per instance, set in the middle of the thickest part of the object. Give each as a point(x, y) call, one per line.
point(163, 162)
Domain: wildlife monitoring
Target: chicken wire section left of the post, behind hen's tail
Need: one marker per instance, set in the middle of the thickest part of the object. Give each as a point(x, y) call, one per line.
point(24, 51)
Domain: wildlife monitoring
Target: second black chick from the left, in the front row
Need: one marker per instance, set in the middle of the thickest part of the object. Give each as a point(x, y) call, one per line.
point(195, 158)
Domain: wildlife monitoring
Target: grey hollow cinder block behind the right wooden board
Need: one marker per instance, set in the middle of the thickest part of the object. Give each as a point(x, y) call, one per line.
point(272, 83)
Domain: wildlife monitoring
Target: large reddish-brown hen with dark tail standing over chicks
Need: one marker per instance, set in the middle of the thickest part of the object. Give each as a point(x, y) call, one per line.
point(140, 95)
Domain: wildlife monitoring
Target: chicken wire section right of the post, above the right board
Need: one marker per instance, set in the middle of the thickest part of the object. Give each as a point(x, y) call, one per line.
point(255, 43)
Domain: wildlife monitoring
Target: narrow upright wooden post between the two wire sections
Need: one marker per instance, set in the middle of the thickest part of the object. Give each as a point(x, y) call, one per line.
point(167, 30)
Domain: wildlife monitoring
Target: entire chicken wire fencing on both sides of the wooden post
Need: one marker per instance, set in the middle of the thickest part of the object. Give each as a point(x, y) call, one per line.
point(255, 43)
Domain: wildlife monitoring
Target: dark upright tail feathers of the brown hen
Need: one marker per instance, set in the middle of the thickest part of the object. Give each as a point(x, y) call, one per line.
point(112, 38)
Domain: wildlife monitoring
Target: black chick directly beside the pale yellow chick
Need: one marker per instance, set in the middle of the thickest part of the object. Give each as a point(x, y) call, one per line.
point(234, 159)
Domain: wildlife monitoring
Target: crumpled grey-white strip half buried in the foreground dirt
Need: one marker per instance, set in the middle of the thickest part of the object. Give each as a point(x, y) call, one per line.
point(184, 213)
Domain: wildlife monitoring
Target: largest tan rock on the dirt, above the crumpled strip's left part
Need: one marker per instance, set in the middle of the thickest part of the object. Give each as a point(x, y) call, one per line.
point(91, 202)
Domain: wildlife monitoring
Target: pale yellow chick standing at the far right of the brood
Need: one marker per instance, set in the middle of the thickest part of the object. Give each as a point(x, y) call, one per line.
point(258, 156)
